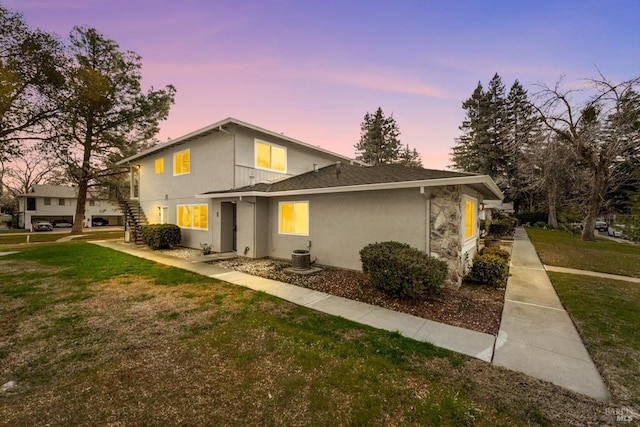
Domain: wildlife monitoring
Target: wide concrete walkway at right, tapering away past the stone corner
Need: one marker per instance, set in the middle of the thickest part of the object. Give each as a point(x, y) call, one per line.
point(536, 335)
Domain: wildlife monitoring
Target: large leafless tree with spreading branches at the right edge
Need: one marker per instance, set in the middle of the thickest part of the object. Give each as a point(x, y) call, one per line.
point(599, 124)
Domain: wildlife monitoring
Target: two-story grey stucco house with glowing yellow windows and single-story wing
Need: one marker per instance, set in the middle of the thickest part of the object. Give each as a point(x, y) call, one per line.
point(242, 188)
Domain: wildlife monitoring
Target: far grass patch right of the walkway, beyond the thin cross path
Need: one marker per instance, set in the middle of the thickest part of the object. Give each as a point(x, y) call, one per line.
point(565, 250)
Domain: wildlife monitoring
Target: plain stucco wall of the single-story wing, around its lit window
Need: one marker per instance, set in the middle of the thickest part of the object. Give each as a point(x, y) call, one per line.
point(340, 225)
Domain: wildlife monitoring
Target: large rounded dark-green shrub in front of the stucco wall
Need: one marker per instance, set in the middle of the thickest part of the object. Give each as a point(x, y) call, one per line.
point(402, 271)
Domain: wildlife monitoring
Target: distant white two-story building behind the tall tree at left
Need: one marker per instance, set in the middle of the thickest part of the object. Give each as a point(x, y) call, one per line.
point(58, 203)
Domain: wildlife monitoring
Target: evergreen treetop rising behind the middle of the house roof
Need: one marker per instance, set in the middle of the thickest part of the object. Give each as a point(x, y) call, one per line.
point(379, 142)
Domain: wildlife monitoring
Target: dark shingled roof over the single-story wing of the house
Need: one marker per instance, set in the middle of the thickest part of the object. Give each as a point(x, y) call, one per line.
point(349, 175)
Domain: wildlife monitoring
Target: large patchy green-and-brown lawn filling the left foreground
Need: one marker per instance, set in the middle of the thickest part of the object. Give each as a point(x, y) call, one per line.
point(96, 337)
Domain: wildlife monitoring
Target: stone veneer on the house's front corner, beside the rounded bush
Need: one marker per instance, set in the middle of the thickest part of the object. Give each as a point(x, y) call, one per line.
point(445, 223)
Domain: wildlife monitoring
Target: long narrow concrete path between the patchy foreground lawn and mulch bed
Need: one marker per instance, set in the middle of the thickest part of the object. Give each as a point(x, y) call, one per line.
point(470, 343)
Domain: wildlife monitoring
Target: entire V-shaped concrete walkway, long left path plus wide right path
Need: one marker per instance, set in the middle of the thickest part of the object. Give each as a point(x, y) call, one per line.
point(536, 335)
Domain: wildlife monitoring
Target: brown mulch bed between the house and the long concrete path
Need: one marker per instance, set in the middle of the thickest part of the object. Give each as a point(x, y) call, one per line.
point(474, 307)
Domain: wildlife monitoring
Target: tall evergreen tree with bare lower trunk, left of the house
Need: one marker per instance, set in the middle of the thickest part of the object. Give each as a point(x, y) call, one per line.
point(103, 112)
